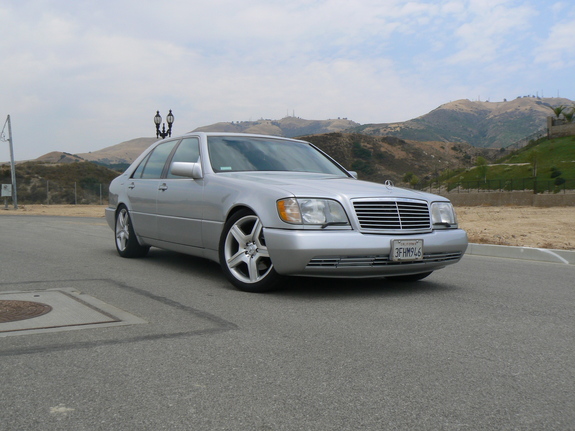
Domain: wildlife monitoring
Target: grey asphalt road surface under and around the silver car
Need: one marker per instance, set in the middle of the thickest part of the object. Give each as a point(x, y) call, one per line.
point(486, 344)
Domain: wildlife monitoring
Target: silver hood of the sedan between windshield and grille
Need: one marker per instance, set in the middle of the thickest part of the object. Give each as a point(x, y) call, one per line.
point(327, 186)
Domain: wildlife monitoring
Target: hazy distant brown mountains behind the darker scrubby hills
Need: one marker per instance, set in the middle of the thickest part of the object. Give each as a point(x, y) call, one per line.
point(481, 124)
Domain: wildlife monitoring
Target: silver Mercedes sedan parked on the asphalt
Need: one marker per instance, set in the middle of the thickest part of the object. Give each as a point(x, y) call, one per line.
point(266, 207)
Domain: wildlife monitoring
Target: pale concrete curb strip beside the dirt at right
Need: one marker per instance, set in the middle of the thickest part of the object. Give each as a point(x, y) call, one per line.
point(523, 253)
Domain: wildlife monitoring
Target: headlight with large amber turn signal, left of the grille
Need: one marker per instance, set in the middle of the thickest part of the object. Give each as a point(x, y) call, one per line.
point(323, 212)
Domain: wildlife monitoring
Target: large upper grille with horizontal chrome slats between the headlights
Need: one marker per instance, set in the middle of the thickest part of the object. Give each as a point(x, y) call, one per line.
point(386, 215)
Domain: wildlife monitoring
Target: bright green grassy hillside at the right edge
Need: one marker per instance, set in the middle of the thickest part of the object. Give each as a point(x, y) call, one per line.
point(544, 165)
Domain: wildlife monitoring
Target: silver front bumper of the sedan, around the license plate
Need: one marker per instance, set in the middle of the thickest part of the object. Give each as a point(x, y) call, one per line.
point(353, 254)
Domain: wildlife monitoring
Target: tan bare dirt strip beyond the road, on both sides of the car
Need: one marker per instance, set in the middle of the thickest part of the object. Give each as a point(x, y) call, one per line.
point(552, 228)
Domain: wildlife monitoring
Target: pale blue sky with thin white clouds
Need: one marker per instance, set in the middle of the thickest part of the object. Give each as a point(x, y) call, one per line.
point(79, 76)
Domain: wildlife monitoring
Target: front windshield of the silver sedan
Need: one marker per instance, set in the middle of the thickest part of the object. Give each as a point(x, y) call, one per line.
point(237, 153)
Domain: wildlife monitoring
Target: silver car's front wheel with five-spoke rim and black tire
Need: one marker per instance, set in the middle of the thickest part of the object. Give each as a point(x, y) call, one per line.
point(244, 256)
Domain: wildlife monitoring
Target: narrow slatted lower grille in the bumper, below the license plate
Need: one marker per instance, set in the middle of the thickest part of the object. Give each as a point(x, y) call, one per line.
point(375, 261)
